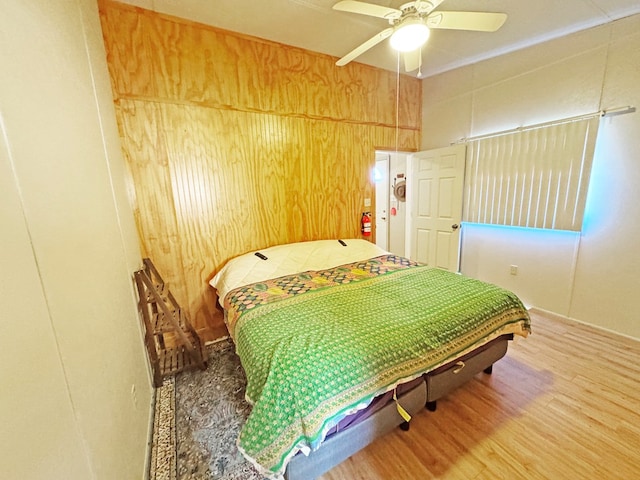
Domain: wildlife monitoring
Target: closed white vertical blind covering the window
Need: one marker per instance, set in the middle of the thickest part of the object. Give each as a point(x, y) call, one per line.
point(534, 178)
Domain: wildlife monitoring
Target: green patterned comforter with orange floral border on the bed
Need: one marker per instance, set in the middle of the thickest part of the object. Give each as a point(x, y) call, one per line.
point(317, 346)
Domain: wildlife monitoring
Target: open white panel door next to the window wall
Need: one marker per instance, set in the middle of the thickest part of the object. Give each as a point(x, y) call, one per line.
point(435, 189)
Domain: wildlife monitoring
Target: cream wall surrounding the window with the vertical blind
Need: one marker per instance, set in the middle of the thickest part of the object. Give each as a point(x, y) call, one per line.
point(593, 277)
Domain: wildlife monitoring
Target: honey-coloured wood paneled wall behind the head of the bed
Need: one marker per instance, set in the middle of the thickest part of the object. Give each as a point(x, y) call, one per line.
point(235, 143)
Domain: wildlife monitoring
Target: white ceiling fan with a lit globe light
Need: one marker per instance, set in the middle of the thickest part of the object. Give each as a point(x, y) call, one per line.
point(411, 24)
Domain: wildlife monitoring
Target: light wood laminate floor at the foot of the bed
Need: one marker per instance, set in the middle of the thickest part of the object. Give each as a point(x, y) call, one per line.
point(563, 404)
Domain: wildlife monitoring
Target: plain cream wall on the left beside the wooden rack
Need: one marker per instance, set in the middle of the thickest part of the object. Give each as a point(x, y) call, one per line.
point(71, 342)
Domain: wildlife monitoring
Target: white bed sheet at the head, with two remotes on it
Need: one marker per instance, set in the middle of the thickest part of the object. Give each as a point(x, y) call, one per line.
point(288, 259)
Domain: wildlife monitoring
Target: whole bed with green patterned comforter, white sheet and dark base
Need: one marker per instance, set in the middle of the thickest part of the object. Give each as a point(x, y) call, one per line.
point(341, 341)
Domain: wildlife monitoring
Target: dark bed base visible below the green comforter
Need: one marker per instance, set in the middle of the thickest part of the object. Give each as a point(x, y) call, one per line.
point(437, 383)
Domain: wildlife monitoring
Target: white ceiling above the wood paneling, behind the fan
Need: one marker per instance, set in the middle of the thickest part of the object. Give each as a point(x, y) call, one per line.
point(313, 25)
